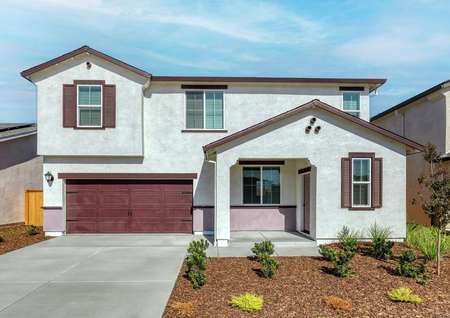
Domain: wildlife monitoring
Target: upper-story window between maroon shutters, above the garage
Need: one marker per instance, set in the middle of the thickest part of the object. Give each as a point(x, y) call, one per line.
point(89, 105)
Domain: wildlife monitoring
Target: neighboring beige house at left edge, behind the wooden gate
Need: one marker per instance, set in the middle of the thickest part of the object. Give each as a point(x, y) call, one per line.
point(20, 170)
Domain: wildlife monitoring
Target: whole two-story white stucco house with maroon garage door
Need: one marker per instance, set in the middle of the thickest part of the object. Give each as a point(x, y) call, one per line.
point(134, 152)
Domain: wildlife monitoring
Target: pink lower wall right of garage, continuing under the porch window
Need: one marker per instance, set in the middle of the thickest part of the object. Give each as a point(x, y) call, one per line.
point(249, 219)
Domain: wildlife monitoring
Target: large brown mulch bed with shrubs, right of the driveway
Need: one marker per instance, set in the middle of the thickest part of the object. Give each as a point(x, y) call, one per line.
point(299, 288)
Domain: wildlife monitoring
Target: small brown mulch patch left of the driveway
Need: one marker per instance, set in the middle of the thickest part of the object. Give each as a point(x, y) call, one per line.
point(16, 237)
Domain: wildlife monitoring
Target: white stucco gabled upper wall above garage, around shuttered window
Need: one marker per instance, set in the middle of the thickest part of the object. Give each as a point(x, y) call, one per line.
point(54, 140)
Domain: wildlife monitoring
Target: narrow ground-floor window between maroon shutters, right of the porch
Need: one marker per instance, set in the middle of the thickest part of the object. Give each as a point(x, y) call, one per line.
point(361, 180)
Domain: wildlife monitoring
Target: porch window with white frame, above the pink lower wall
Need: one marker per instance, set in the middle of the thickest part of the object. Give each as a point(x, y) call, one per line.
point(261, 185)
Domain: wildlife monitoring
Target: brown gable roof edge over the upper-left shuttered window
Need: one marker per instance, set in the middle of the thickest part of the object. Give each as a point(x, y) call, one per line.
point(81, 50)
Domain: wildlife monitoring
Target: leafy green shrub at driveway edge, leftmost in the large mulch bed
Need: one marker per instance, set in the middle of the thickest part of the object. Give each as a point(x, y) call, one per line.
point(197, 262)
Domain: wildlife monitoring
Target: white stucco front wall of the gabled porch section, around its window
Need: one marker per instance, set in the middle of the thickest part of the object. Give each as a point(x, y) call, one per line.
point(324, 150)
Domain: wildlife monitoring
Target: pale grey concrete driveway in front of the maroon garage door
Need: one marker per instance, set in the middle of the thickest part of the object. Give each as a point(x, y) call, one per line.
point(91, 276)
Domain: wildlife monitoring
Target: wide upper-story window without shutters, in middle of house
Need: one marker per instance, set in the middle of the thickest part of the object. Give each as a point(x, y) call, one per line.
point(204, 110)
